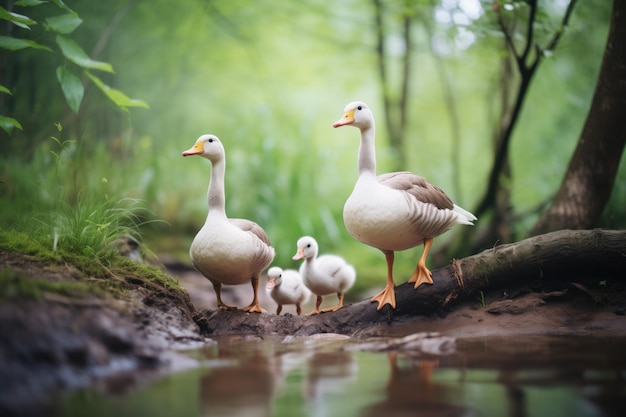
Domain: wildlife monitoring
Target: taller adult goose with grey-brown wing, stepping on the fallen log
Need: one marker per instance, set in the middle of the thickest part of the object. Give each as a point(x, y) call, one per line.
point(395, 211)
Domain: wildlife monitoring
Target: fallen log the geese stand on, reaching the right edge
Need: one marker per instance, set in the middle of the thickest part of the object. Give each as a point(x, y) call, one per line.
point(562, 256)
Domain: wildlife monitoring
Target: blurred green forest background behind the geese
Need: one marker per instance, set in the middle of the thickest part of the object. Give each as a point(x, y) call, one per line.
point(270, 78)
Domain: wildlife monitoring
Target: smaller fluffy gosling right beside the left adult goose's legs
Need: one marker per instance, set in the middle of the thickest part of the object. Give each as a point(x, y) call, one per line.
point(286, 287)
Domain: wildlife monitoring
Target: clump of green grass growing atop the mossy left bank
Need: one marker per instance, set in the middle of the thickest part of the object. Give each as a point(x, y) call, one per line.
point(83, 219)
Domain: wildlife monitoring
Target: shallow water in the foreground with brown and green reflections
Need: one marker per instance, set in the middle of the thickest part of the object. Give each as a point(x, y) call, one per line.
point(335, 376)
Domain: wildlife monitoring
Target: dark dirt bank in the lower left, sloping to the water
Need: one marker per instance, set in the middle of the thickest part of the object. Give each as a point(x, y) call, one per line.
point(55, 341)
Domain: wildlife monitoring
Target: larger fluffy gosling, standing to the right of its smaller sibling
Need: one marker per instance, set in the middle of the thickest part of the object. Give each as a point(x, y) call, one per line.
point(325, 274)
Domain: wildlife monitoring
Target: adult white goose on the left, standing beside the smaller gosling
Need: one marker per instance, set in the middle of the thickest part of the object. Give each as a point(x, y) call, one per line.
point(227, 251)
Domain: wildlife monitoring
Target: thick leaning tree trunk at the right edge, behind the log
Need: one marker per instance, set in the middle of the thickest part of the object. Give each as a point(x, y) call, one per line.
point(589, 180)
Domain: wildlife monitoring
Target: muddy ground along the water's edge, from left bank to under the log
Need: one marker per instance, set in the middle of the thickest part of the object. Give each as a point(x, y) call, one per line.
point(59, 341)
